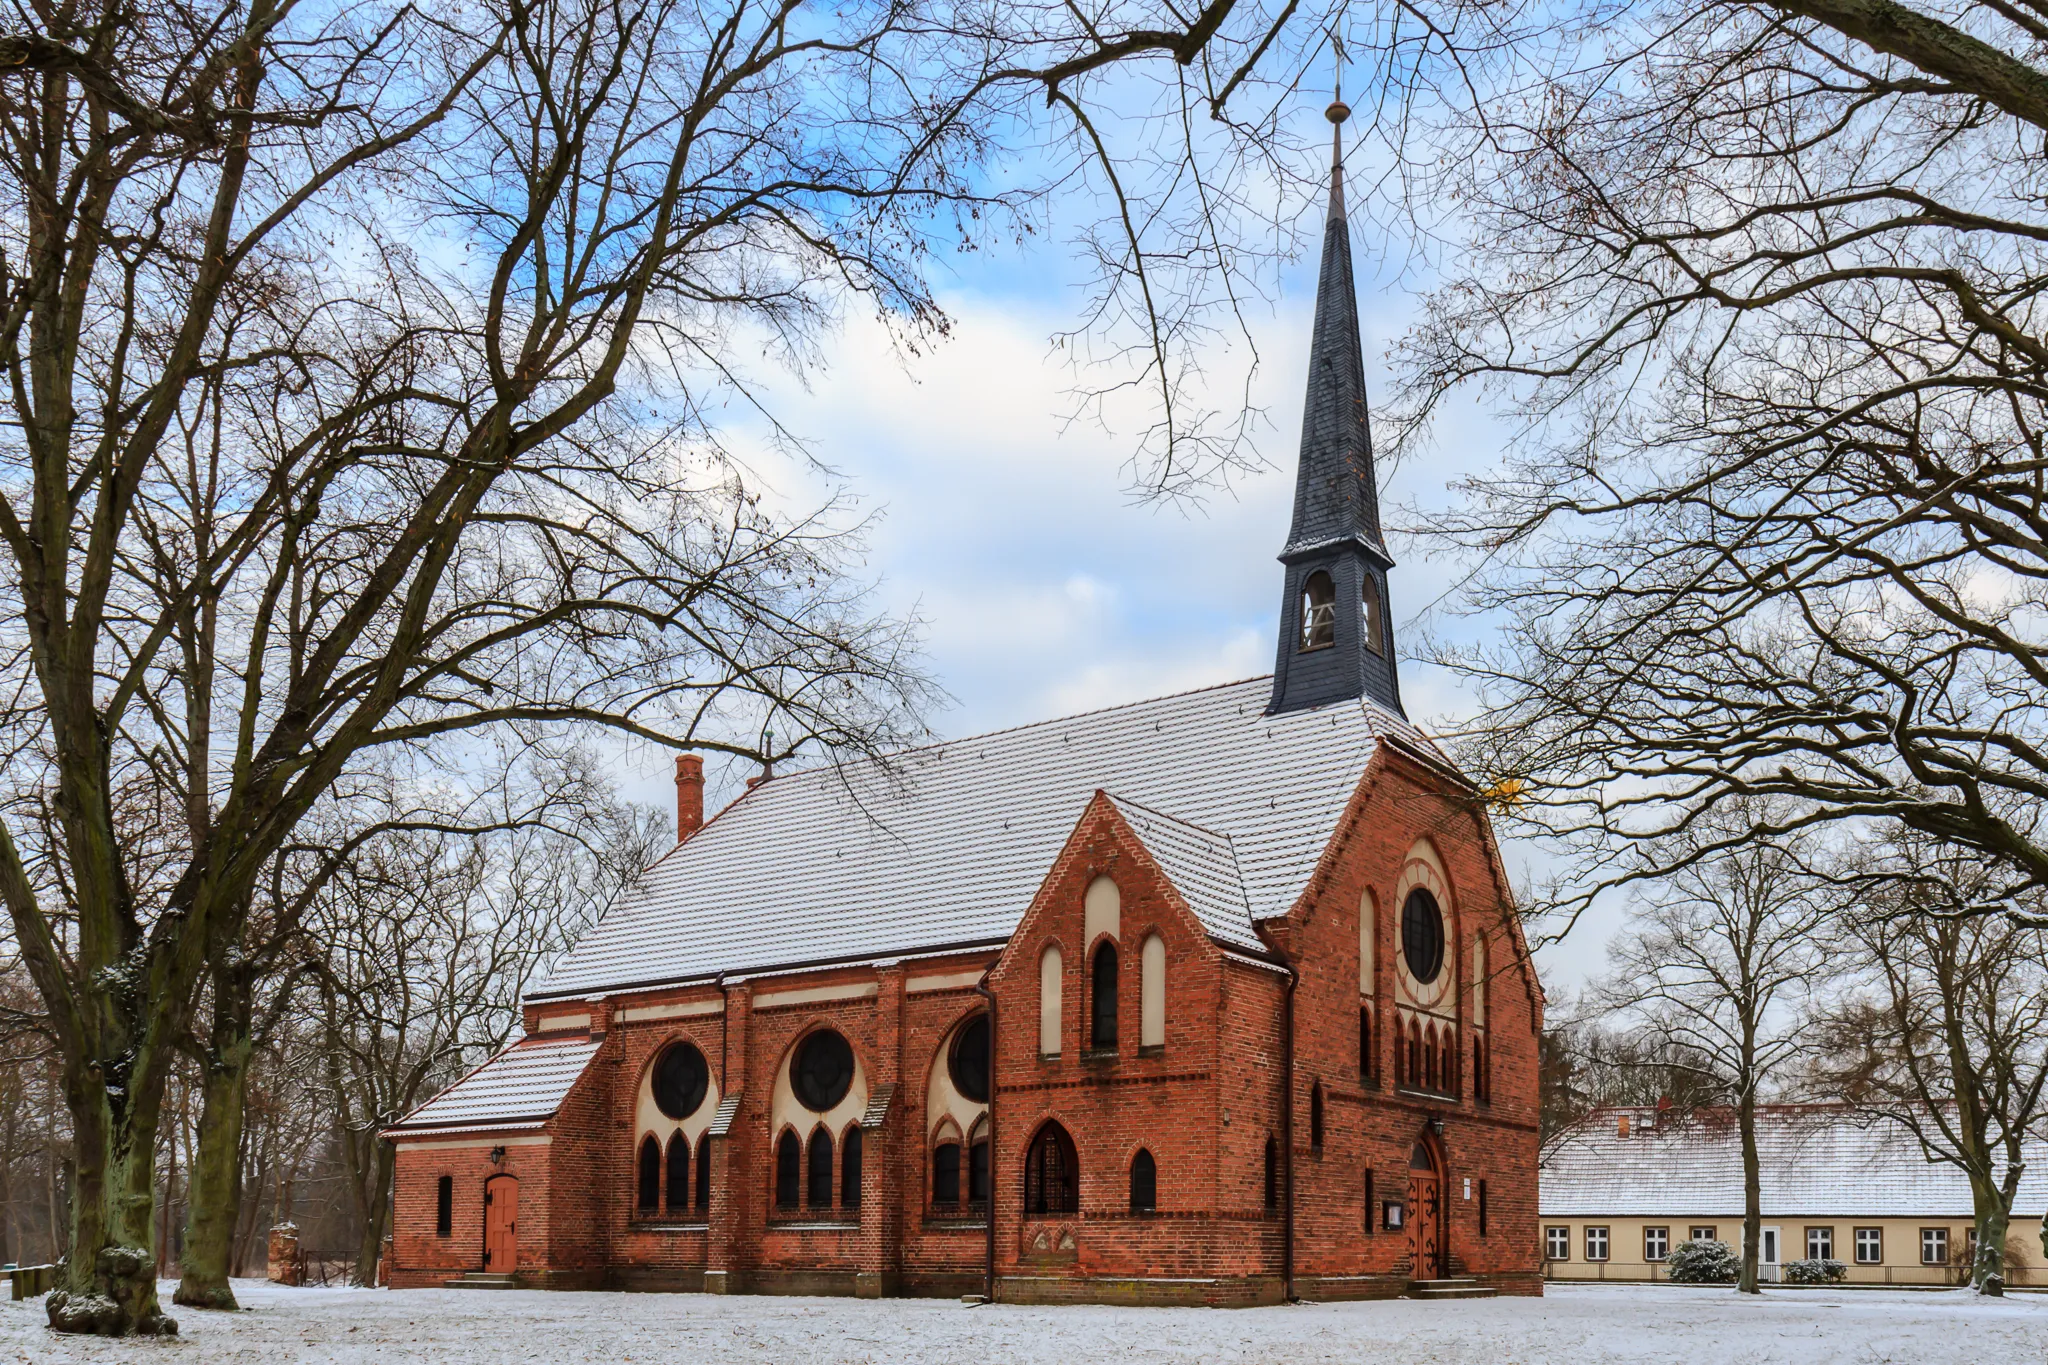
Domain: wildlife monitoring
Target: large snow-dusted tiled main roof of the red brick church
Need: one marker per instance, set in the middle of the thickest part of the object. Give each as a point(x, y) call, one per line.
point(947, 844)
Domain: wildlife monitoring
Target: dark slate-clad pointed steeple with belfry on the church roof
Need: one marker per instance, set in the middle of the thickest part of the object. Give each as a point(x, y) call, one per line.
point(1336, 629)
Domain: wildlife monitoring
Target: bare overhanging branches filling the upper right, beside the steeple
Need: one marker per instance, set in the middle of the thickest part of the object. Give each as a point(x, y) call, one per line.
point(1762, 285)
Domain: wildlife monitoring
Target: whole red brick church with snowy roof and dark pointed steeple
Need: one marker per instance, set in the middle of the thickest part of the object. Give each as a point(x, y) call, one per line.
point(1207, 1000)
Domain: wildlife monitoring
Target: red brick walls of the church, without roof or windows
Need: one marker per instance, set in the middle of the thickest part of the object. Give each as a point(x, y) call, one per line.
point(1205, 1106)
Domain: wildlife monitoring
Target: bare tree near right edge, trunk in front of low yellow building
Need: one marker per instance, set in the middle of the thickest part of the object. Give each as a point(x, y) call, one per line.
point(1945, 1028)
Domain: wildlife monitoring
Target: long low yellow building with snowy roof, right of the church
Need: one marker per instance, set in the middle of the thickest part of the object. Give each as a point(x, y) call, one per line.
point(1625, 1188)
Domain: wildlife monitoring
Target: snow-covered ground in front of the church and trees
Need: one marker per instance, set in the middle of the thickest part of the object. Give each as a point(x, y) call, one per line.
point(1580, 1325)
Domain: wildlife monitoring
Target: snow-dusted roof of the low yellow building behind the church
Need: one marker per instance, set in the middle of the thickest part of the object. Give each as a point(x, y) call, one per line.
point(1824, 1161)
